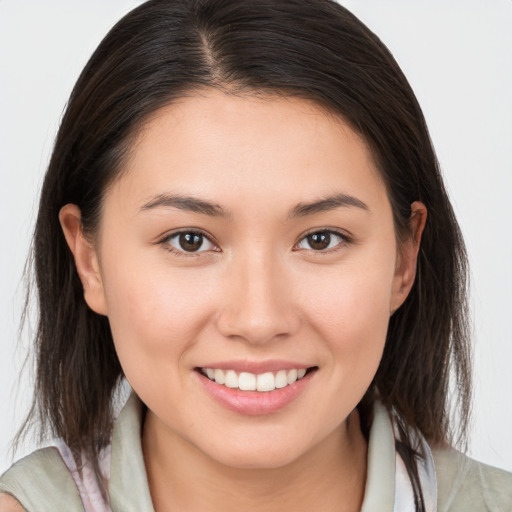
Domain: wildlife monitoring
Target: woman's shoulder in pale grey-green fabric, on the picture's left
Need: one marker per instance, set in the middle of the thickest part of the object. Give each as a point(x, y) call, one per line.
point(40, 482)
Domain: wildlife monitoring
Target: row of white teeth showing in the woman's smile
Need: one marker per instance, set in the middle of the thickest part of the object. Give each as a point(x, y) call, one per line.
point(246, 381)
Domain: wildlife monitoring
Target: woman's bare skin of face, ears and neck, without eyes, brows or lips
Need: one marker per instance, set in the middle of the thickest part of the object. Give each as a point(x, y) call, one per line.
point(258, 291)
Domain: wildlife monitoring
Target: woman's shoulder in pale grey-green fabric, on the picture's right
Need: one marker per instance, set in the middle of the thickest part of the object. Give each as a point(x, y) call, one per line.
point(465, 484)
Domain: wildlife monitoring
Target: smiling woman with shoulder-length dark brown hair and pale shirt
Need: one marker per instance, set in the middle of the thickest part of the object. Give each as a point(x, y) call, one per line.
point(243, 215)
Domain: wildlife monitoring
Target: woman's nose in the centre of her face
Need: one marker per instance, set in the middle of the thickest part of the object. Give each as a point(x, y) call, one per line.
point(258, 303)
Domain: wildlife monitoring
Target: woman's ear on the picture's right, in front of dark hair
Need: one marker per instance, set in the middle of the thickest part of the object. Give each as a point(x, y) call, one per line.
point(408, 255)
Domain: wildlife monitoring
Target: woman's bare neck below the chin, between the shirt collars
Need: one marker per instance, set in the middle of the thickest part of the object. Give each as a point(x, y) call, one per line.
point(330, 477)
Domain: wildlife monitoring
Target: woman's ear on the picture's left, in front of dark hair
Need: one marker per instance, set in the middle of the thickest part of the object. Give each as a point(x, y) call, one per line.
point(86, 258)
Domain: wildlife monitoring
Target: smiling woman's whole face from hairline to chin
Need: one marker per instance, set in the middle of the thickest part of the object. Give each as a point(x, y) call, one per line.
point(246, 239)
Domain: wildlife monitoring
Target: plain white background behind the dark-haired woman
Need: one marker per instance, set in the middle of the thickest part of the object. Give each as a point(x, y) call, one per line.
point(458, 58)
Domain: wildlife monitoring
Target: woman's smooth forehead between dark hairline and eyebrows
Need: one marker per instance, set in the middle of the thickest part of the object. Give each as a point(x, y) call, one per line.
point(269, 150)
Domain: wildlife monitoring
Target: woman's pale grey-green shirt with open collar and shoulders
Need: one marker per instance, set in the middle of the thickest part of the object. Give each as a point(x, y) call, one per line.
point(42, 482)
